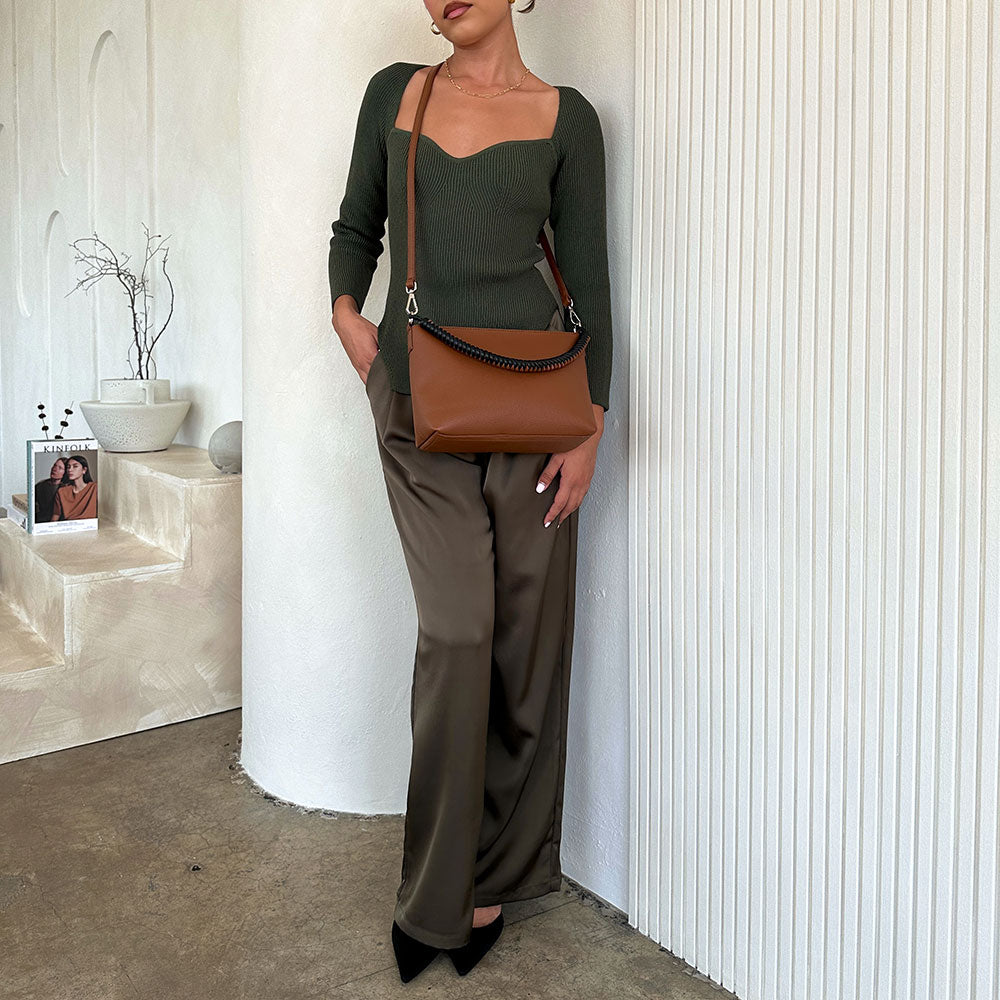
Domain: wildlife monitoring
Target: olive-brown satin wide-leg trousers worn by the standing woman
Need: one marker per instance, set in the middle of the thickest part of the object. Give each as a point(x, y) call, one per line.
point(494, 592)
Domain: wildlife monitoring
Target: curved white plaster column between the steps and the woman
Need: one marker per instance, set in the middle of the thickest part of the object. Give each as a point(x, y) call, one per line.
point(329, 621)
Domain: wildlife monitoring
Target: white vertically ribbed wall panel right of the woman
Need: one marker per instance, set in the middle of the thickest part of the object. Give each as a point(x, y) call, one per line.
point(815, 522)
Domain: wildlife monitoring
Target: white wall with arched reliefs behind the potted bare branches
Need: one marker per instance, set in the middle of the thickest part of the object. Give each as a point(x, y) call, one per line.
point(105, 125)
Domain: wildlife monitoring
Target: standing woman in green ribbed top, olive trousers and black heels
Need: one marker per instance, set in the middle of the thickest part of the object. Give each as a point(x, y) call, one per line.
point(499, 152)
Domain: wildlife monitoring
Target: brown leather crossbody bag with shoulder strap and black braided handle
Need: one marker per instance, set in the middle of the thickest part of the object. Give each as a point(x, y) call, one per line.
point(484, 389)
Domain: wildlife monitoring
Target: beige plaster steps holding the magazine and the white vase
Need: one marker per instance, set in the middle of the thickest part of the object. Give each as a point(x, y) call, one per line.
point(141, 617)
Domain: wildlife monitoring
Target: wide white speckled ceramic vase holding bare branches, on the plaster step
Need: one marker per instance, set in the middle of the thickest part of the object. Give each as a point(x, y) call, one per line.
point(135, 414)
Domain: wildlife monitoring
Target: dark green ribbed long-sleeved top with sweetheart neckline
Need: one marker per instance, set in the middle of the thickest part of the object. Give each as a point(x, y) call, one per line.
point(478, 219)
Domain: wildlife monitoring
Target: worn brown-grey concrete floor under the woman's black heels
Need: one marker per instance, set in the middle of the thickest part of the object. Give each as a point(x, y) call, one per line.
point(151, 866)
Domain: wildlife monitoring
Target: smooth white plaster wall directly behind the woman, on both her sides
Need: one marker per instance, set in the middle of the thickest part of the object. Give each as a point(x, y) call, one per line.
point(329, 619)
